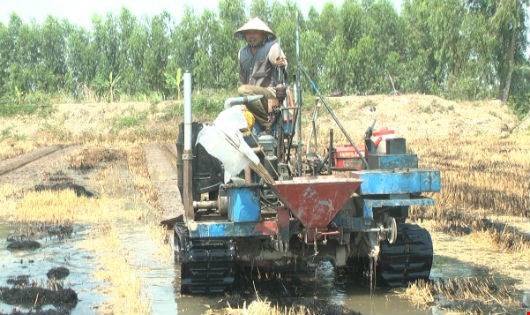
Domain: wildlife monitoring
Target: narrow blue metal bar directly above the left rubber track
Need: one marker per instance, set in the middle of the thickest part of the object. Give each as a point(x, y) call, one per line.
point(230, 229)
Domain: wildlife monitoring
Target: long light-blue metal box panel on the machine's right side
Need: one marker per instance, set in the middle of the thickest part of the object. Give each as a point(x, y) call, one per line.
point(382, 182)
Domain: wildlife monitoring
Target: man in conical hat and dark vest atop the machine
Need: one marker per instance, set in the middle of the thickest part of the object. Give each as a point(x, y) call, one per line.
point(258, 64)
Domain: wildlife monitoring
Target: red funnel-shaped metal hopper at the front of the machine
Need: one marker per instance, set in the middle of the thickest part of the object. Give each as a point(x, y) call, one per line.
point(316, 200)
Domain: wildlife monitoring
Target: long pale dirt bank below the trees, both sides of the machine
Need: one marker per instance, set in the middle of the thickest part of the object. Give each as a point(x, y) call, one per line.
point(411, 115)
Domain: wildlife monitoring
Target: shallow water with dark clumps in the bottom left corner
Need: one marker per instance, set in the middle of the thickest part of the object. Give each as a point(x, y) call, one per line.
point(52, 253)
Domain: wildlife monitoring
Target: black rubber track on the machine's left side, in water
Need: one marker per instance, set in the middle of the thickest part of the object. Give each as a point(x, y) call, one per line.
point(206, 266)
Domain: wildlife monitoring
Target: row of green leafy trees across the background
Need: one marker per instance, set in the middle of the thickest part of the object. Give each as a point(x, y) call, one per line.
point(465, 49)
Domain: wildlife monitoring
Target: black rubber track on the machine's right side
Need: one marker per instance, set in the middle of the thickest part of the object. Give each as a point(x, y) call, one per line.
point(409, 259)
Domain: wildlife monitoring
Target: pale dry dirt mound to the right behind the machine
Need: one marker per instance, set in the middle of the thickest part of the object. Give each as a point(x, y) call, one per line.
point(419, 116)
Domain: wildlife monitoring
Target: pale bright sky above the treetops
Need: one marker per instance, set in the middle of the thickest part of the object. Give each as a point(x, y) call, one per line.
point(80, 12)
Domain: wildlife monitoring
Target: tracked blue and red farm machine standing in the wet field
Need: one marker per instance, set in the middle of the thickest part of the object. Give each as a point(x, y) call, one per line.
point(256, 199)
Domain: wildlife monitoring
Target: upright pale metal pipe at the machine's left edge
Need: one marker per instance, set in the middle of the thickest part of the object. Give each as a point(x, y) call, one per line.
point(187, 155)
